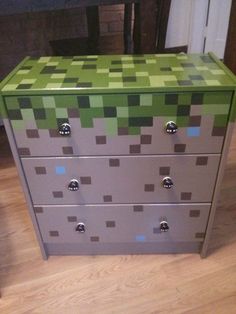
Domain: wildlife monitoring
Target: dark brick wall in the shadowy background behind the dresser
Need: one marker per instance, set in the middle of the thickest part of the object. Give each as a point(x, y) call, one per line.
point(30, 33)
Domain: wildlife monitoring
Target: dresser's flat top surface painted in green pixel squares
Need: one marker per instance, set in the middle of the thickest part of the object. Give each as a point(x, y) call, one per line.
point(118, 72)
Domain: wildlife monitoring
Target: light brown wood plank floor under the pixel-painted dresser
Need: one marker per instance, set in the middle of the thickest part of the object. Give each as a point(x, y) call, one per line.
point(113, 284)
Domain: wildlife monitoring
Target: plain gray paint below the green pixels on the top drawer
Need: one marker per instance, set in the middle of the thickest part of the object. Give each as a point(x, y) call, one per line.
point(83, 140)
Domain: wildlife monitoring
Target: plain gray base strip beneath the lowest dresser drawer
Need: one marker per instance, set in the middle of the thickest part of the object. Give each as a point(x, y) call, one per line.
point(122, 248)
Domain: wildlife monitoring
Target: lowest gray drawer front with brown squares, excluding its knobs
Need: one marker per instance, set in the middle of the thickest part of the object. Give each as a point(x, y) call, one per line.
point(122, 223)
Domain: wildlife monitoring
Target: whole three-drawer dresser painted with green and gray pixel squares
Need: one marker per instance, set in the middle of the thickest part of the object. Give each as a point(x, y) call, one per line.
point(120, 154)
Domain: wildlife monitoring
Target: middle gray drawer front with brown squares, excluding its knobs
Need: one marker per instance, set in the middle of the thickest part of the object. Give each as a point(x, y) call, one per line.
point(130, 179)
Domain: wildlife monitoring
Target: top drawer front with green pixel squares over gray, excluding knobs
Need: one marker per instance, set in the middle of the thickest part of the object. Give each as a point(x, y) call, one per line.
point(119, 124)
